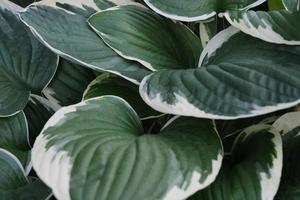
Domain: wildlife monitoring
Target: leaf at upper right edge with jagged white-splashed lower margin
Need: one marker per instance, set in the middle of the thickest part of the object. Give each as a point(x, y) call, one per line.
point(279, 27)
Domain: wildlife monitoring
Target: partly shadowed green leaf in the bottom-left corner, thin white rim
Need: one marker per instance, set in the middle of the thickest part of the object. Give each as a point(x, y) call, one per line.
point(14, 184)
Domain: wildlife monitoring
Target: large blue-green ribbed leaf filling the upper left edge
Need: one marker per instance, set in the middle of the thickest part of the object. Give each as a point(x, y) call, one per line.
point(25, 65)
